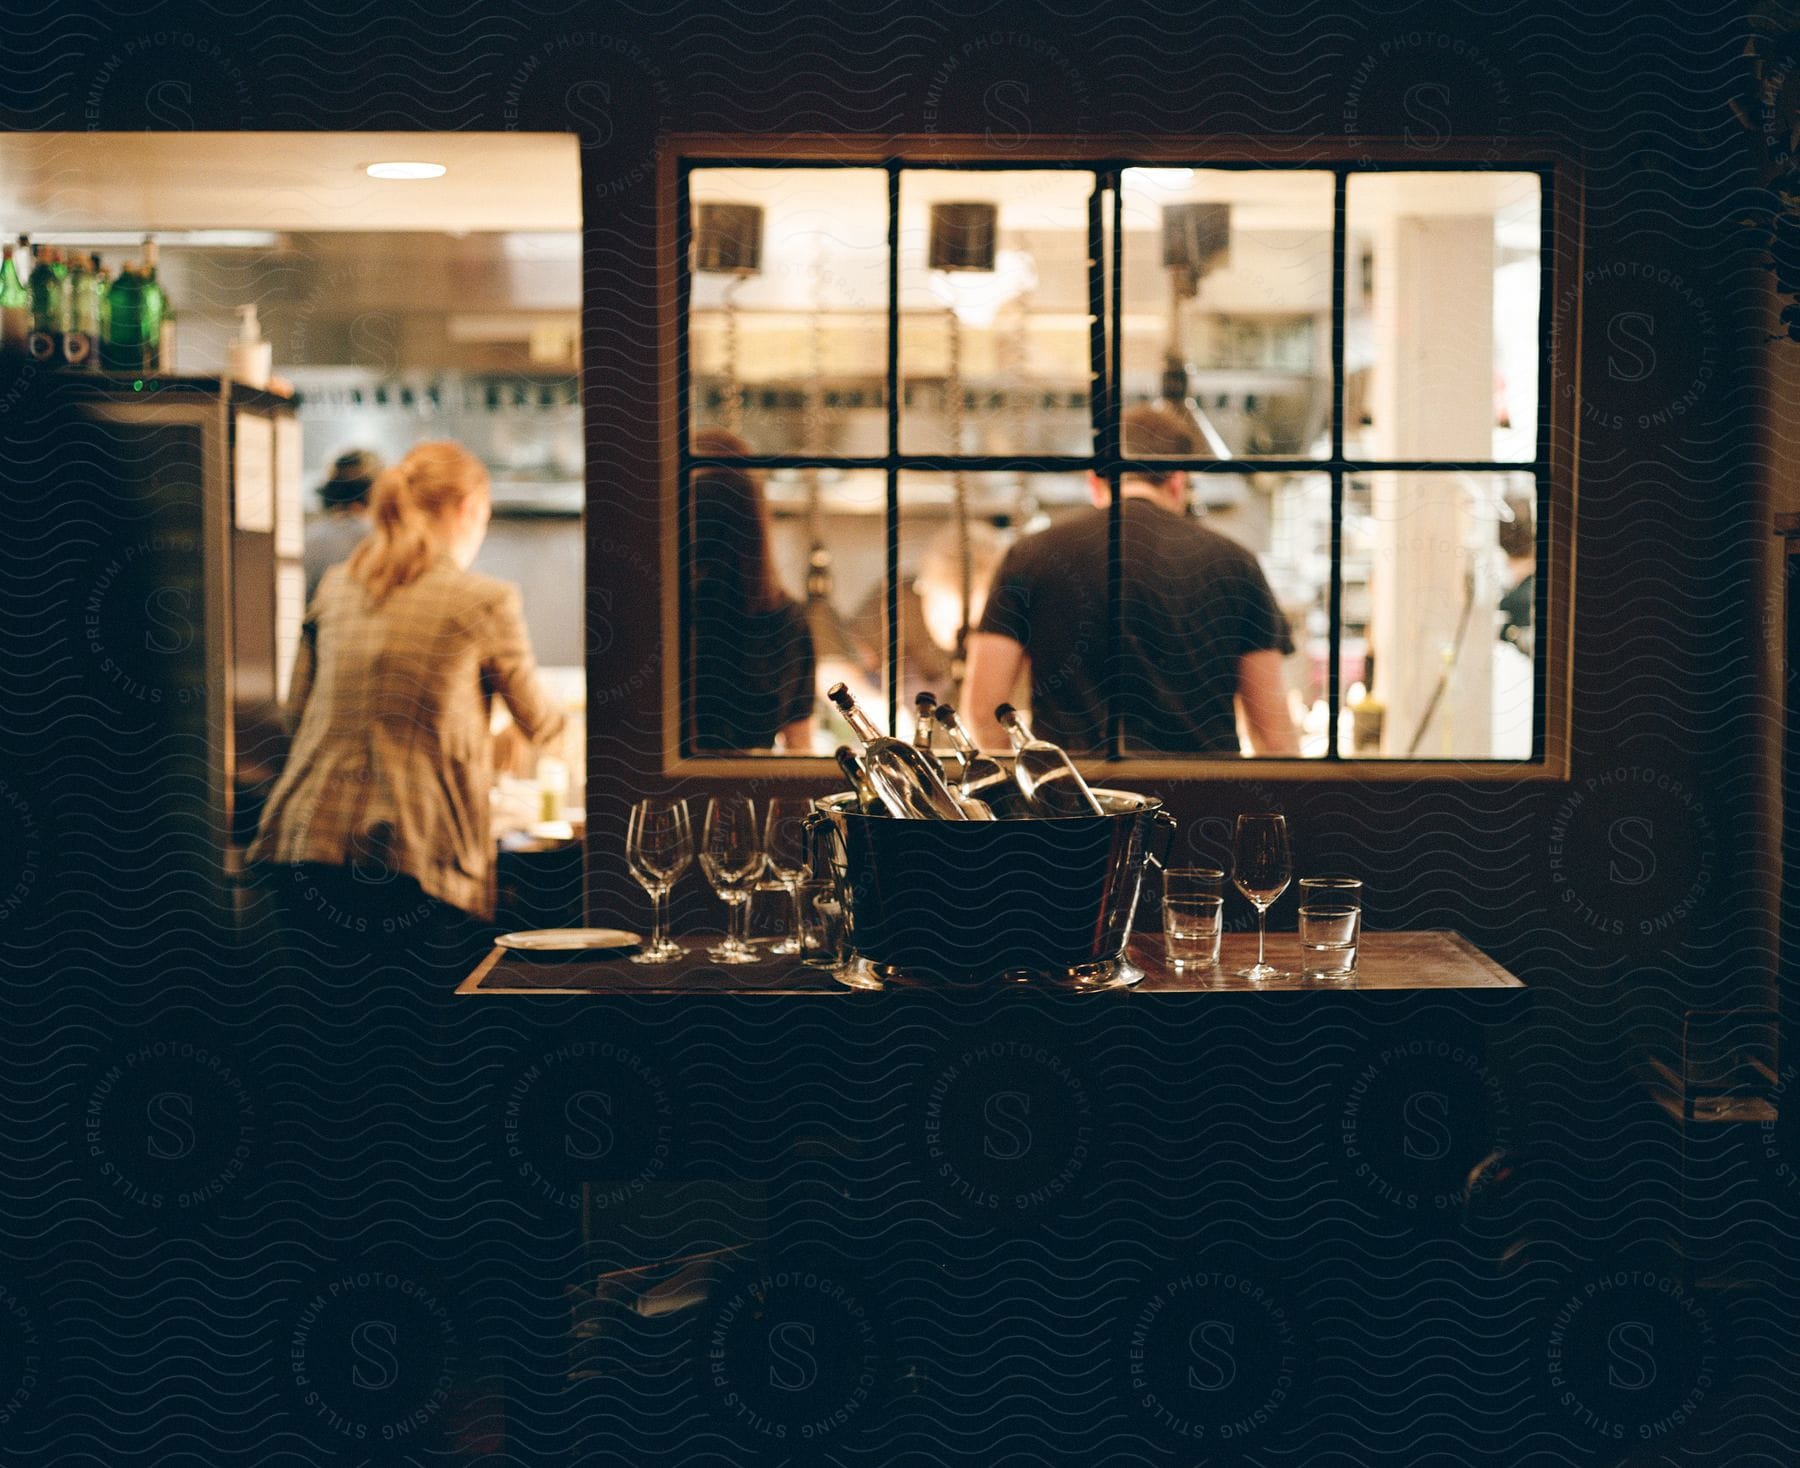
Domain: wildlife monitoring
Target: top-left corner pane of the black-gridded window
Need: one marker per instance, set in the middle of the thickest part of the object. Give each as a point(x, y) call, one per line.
point(787, 332)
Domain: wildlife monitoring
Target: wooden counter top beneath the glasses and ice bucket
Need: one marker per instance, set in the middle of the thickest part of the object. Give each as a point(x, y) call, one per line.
point(1392, 962)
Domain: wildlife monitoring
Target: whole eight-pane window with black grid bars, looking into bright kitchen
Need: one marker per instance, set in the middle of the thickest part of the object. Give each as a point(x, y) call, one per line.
point(1194, 463)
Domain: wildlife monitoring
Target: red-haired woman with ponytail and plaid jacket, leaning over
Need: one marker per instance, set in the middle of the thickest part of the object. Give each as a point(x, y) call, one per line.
point(379, 825)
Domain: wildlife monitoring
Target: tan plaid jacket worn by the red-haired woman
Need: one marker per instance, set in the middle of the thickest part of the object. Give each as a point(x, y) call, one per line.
point(393, 762)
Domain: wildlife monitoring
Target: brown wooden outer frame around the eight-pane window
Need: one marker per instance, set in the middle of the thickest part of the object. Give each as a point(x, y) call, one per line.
point(1558, 406)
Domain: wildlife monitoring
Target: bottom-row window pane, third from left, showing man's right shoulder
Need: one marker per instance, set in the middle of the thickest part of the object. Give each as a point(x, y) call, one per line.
point(1246, 571)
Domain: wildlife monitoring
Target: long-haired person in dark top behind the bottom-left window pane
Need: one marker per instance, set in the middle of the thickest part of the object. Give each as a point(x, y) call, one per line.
point(753, 658)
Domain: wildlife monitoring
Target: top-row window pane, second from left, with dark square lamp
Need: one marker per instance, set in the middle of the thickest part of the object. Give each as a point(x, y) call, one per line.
point(994, 312)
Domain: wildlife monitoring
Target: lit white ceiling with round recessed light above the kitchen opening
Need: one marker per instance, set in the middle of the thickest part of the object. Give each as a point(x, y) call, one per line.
point(287, 183)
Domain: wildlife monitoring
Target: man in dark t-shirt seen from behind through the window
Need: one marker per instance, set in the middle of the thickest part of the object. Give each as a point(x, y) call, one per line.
point(1200, 631)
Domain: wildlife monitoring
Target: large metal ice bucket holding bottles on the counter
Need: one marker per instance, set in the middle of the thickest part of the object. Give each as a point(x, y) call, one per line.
point(980, 900)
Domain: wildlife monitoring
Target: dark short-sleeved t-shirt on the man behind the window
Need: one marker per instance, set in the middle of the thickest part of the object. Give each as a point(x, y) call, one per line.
point(1194, 605)
